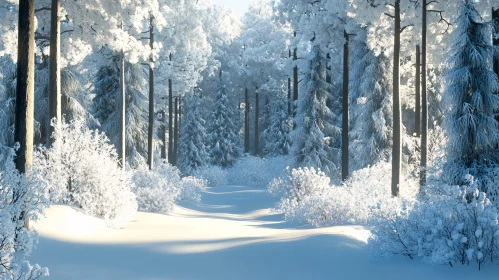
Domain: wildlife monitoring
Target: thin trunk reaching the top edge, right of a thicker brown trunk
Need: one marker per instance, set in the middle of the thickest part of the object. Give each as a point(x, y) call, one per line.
point(424, 97)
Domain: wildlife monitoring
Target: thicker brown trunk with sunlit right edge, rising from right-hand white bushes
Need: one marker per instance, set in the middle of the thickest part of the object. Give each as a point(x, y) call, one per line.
point(397, 118)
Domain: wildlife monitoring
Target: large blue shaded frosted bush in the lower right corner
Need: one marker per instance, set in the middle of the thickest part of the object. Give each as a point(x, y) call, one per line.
point(460, 225)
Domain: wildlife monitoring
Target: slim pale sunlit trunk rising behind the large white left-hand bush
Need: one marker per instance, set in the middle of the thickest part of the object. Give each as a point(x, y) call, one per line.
point(122, 103)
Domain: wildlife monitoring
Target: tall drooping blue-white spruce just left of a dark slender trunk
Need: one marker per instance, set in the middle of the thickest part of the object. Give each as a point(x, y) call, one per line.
point(314, 133)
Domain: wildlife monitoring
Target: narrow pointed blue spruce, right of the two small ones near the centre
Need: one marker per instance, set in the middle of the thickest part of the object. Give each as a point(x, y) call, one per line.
point(225, 143)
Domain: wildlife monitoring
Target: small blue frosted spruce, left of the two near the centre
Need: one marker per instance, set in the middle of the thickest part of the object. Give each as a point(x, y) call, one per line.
point(193, 138)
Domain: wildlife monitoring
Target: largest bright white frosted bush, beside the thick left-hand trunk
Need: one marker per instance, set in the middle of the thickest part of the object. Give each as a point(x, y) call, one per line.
point(82, 168)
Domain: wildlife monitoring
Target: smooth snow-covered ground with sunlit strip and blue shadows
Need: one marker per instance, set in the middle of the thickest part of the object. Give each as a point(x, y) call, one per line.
point(232, 235)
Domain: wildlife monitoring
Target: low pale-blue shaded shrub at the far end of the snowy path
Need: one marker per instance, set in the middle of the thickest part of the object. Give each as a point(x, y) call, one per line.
point(258, 172)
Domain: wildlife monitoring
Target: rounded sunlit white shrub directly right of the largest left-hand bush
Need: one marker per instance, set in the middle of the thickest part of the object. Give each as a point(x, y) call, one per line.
point(157, 189)
